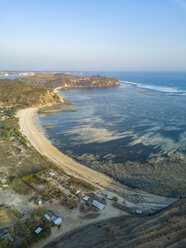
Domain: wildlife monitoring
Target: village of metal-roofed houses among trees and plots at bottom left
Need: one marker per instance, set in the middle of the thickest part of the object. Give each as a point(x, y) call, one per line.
point(56, 198)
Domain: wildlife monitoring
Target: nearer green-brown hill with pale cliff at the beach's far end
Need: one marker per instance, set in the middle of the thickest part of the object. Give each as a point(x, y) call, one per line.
point(17, 93)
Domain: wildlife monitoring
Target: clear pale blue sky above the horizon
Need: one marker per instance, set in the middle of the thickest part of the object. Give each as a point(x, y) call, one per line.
point(98, 35)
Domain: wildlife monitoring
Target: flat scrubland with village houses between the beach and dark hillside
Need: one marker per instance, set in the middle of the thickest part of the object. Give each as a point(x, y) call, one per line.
point(45, 202)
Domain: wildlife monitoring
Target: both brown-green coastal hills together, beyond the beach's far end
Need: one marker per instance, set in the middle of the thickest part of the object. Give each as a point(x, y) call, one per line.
point(37, 90)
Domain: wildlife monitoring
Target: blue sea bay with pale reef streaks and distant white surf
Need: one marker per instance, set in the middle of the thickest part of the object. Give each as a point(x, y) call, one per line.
point(135, 133)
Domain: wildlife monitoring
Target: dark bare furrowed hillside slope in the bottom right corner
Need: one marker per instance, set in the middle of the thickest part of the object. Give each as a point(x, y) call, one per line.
point(165, 229)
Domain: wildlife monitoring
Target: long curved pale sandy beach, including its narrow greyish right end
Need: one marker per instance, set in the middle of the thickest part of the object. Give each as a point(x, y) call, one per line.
point(70, 166)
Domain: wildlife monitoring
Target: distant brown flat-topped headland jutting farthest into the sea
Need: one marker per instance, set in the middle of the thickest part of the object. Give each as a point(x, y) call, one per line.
point(63, 80)
